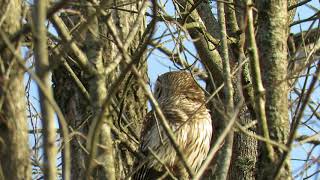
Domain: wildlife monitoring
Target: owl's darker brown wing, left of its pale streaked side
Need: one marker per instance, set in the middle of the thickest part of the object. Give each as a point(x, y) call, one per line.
point(154, 137)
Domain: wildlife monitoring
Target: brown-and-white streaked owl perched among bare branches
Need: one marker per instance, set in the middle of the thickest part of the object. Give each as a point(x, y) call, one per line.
point(182, 102)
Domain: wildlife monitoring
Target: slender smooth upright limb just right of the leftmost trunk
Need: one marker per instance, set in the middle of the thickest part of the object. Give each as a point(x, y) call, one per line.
point(42, 68)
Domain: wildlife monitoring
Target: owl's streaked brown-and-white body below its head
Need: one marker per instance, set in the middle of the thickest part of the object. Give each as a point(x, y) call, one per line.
point(192, 127)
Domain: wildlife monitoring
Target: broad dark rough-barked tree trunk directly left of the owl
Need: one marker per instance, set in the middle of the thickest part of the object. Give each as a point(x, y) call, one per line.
point(129, 100)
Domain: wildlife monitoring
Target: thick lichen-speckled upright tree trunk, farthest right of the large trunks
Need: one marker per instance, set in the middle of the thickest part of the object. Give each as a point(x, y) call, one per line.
point(272, 43)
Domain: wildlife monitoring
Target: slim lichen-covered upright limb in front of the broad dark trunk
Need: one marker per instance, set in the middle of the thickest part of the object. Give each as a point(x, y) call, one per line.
point(98, 91)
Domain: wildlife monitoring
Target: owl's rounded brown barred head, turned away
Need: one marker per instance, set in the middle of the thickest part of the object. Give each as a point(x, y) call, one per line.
point(178, 84)
